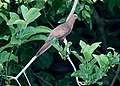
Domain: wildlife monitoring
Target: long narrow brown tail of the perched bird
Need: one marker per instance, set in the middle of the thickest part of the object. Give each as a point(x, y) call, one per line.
point(46, 46)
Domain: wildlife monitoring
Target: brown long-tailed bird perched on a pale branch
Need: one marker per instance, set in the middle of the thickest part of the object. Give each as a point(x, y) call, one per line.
point(60, 32)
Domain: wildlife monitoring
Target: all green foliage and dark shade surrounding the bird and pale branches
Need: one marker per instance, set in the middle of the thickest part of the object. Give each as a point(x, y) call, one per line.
point(25, 25)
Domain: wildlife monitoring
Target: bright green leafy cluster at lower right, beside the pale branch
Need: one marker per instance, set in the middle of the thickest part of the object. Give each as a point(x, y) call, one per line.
point(89, 71)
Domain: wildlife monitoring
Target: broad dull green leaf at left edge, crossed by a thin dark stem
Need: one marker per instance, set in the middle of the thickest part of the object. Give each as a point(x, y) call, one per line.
point(5, 56)
